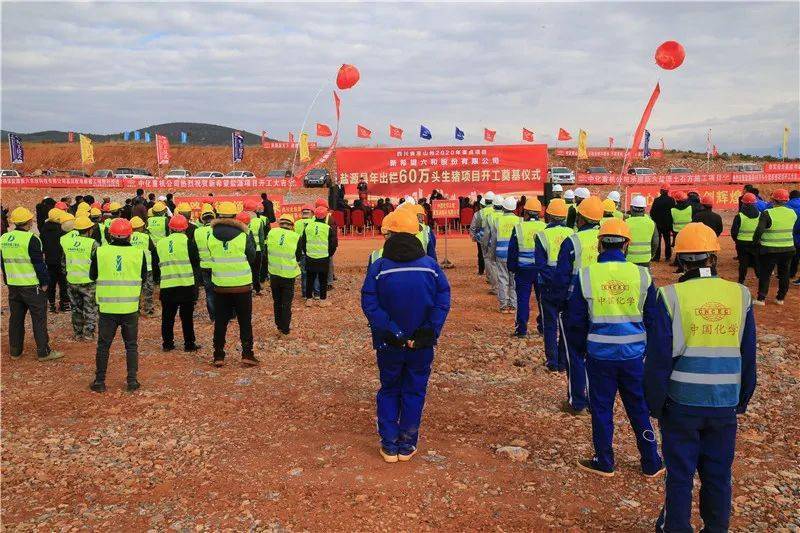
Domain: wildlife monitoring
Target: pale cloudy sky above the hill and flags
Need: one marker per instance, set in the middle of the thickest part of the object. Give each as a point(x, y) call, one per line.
point(110, 67)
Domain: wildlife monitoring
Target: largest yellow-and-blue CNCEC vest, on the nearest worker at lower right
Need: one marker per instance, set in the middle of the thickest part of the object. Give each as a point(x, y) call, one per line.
point(708, 317)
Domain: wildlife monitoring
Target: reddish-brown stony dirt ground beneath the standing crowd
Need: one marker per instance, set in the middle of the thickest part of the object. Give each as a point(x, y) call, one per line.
point(291, 445)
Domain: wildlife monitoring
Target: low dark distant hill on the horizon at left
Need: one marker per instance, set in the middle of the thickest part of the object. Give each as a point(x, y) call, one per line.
point(203, 134)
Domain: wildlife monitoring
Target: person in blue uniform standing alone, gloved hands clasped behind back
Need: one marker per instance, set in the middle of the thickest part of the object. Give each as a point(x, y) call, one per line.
point(406, 298)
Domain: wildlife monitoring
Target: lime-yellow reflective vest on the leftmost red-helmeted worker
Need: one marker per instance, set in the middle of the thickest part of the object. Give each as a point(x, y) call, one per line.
point(119, 279)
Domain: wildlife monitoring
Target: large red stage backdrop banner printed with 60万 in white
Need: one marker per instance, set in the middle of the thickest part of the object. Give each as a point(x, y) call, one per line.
point(454, 170)
